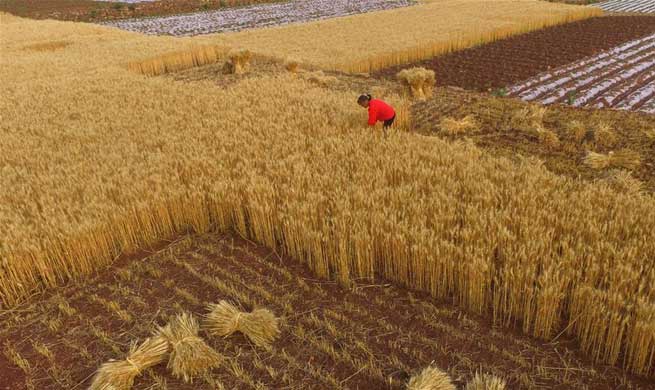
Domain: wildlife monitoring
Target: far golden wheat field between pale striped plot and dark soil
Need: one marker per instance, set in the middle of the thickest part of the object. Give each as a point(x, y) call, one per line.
point(368, 42)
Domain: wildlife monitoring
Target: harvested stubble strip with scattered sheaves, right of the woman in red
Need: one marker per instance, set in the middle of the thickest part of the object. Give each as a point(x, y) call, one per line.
point(497, 132)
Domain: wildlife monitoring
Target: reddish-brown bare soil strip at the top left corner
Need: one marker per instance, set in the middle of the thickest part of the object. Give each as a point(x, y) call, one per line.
point(97, 11)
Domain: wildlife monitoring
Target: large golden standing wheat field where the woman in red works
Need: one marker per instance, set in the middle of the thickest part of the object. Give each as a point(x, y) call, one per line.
point(97, 160)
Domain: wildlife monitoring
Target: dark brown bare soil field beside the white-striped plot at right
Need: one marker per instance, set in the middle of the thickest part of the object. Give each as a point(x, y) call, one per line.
point(508, 61)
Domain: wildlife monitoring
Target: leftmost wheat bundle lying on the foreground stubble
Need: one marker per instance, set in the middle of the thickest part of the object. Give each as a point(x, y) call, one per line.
point(120, 374)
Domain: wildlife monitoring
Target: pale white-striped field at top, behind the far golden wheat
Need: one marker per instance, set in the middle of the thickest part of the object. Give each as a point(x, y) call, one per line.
point(255, 16)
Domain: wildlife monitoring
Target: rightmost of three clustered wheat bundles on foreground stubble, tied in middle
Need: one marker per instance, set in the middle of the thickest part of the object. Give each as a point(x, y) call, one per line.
point(260, 325)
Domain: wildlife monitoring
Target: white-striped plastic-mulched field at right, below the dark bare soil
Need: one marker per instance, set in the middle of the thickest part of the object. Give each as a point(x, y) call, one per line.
point(621, 78)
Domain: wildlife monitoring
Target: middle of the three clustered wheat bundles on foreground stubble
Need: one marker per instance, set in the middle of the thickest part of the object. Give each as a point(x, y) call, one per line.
point(190, 355)
